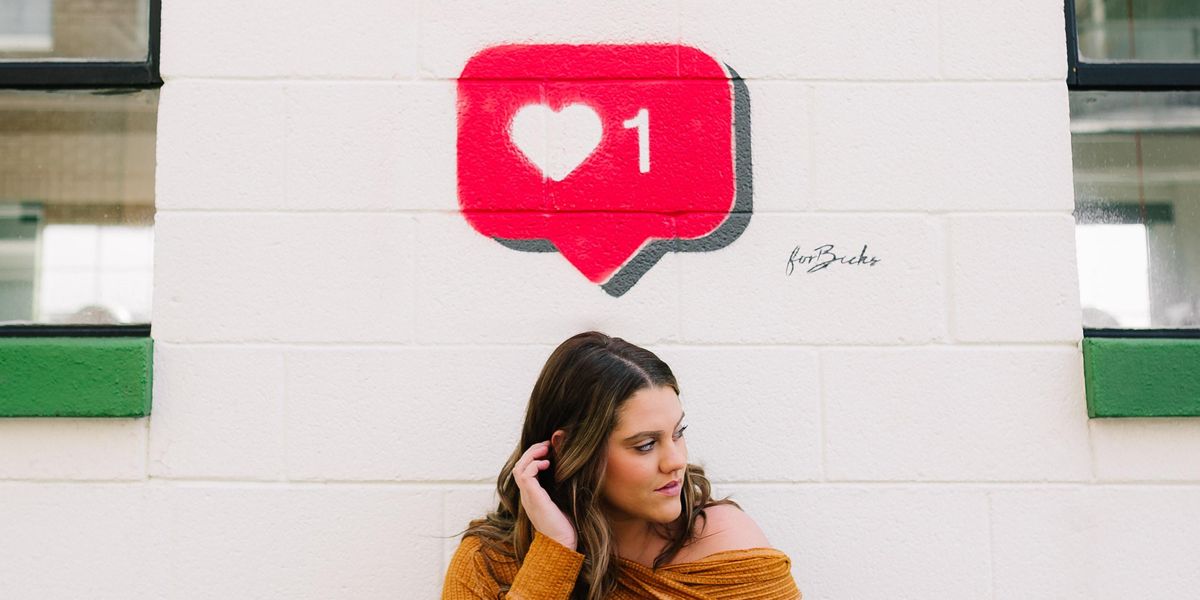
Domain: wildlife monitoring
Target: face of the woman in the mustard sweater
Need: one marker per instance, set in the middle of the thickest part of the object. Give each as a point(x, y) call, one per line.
point(646, 459)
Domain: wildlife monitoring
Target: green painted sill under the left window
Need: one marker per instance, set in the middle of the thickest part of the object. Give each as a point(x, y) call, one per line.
point(76, 376)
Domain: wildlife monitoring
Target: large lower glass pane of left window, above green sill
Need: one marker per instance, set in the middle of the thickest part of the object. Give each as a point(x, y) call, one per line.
point(76, 206)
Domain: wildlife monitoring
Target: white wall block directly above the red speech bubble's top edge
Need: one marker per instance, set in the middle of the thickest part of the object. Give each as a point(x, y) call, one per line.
point(452, 33)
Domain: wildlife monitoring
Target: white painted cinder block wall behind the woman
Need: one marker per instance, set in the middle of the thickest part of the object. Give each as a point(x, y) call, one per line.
point(341, 362)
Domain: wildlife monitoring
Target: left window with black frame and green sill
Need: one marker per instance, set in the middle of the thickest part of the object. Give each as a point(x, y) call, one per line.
point(79, 104)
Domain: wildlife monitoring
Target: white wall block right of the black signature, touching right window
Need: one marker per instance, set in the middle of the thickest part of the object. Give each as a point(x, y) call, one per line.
point(1015, 279)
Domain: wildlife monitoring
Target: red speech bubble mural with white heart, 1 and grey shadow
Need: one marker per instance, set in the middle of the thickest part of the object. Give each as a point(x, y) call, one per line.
point(611, 155)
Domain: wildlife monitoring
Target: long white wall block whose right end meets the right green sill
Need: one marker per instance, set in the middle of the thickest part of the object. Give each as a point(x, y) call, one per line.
point(961, 415)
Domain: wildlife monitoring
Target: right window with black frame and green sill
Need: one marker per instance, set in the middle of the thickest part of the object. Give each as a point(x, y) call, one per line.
point(1135, 87)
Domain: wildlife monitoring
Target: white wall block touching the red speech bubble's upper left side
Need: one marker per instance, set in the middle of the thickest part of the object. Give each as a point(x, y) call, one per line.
point(371, 146)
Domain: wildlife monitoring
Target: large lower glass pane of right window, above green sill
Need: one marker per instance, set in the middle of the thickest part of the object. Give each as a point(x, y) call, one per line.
point(1137, 169)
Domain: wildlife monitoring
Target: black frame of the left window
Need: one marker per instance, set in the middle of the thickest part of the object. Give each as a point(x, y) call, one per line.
point(113, 77)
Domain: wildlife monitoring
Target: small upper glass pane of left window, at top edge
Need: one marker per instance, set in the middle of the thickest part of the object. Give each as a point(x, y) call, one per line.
point(44, 31)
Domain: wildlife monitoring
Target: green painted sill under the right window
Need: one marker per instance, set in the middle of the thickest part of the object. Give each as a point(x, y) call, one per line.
point(1142, 377)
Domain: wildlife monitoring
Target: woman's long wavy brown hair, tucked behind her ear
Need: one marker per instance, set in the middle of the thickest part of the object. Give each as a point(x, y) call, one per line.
point(581, 389)
